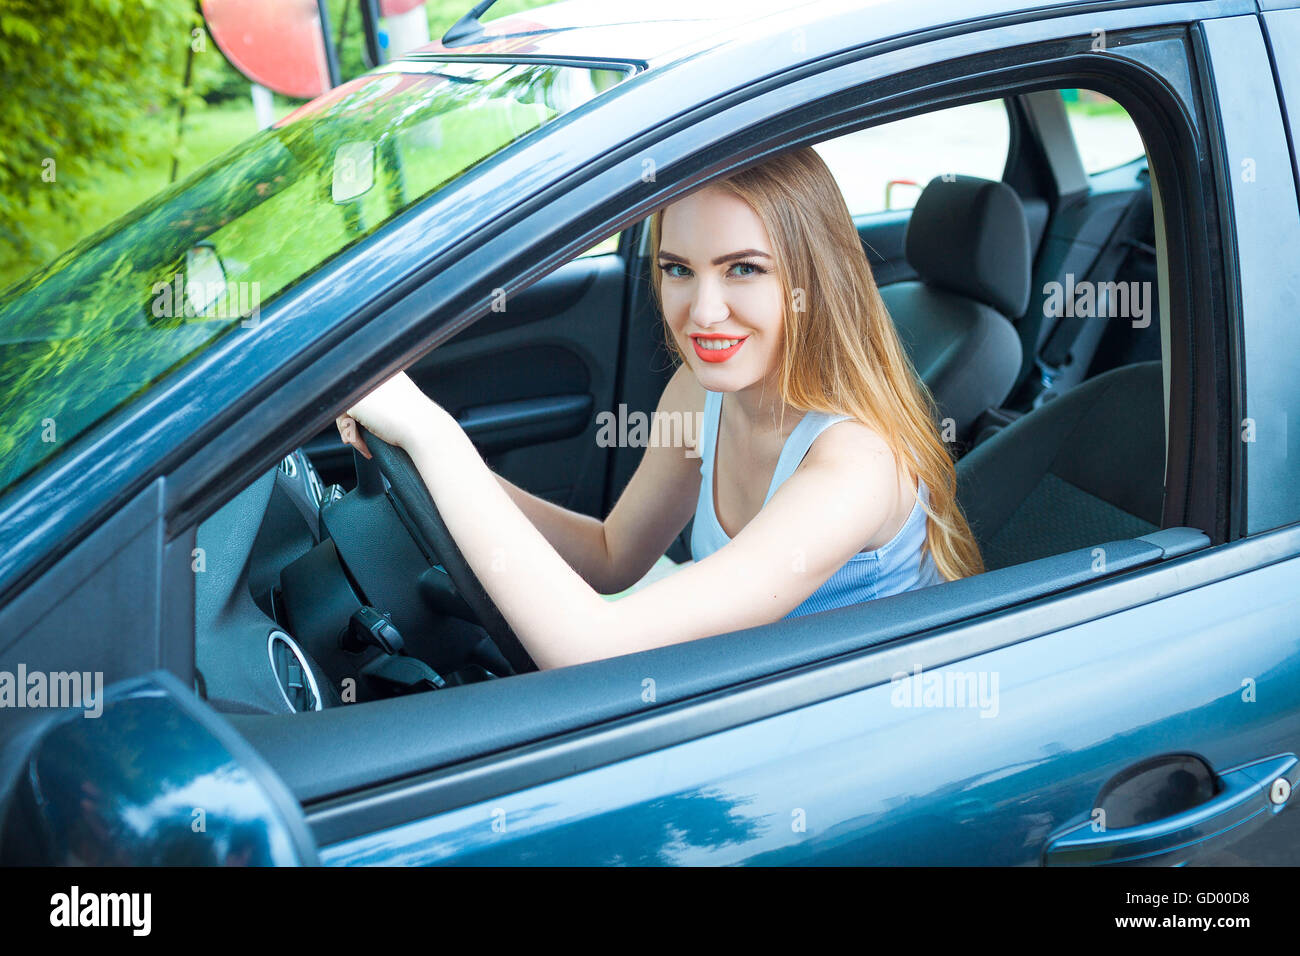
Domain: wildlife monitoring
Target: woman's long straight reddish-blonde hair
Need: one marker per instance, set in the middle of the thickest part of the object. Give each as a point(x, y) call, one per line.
point(842, 352)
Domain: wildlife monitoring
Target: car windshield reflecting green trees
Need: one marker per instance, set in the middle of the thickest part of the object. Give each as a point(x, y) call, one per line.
point(107, 319)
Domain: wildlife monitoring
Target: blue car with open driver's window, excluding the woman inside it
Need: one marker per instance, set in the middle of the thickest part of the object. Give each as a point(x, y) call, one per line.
point(214, 611)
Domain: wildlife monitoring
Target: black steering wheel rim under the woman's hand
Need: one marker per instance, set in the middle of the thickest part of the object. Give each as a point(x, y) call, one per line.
point(409, 488)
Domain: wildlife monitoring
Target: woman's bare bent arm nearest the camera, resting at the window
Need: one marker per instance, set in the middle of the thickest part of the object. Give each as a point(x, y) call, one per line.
point(835, 503)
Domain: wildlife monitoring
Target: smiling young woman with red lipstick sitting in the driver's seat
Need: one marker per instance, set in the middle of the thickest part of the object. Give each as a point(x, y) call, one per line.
point(818, 479)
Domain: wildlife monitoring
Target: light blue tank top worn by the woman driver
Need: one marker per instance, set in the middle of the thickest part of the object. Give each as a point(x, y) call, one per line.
point(889, 570)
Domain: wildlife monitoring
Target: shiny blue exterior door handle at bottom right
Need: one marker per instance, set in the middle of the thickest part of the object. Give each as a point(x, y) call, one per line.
point(1249, 797)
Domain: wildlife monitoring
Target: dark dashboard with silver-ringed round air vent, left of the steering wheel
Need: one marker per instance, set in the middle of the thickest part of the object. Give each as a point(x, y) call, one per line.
point(307, 598)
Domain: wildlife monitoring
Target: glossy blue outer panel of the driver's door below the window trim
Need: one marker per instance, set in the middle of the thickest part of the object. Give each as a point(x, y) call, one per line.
point(1013, 750)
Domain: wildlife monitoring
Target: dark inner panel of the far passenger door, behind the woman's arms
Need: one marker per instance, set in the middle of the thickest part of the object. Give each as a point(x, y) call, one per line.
point(526, 383)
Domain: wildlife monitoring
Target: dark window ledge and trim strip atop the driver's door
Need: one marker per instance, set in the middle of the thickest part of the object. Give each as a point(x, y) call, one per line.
point(486, 719)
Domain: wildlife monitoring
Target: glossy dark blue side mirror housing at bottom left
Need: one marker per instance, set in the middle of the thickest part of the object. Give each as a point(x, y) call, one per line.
point(128, 788)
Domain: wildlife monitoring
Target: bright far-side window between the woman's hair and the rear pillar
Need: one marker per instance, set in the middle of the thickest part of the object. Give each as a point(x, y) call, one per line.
point(887, 167)
